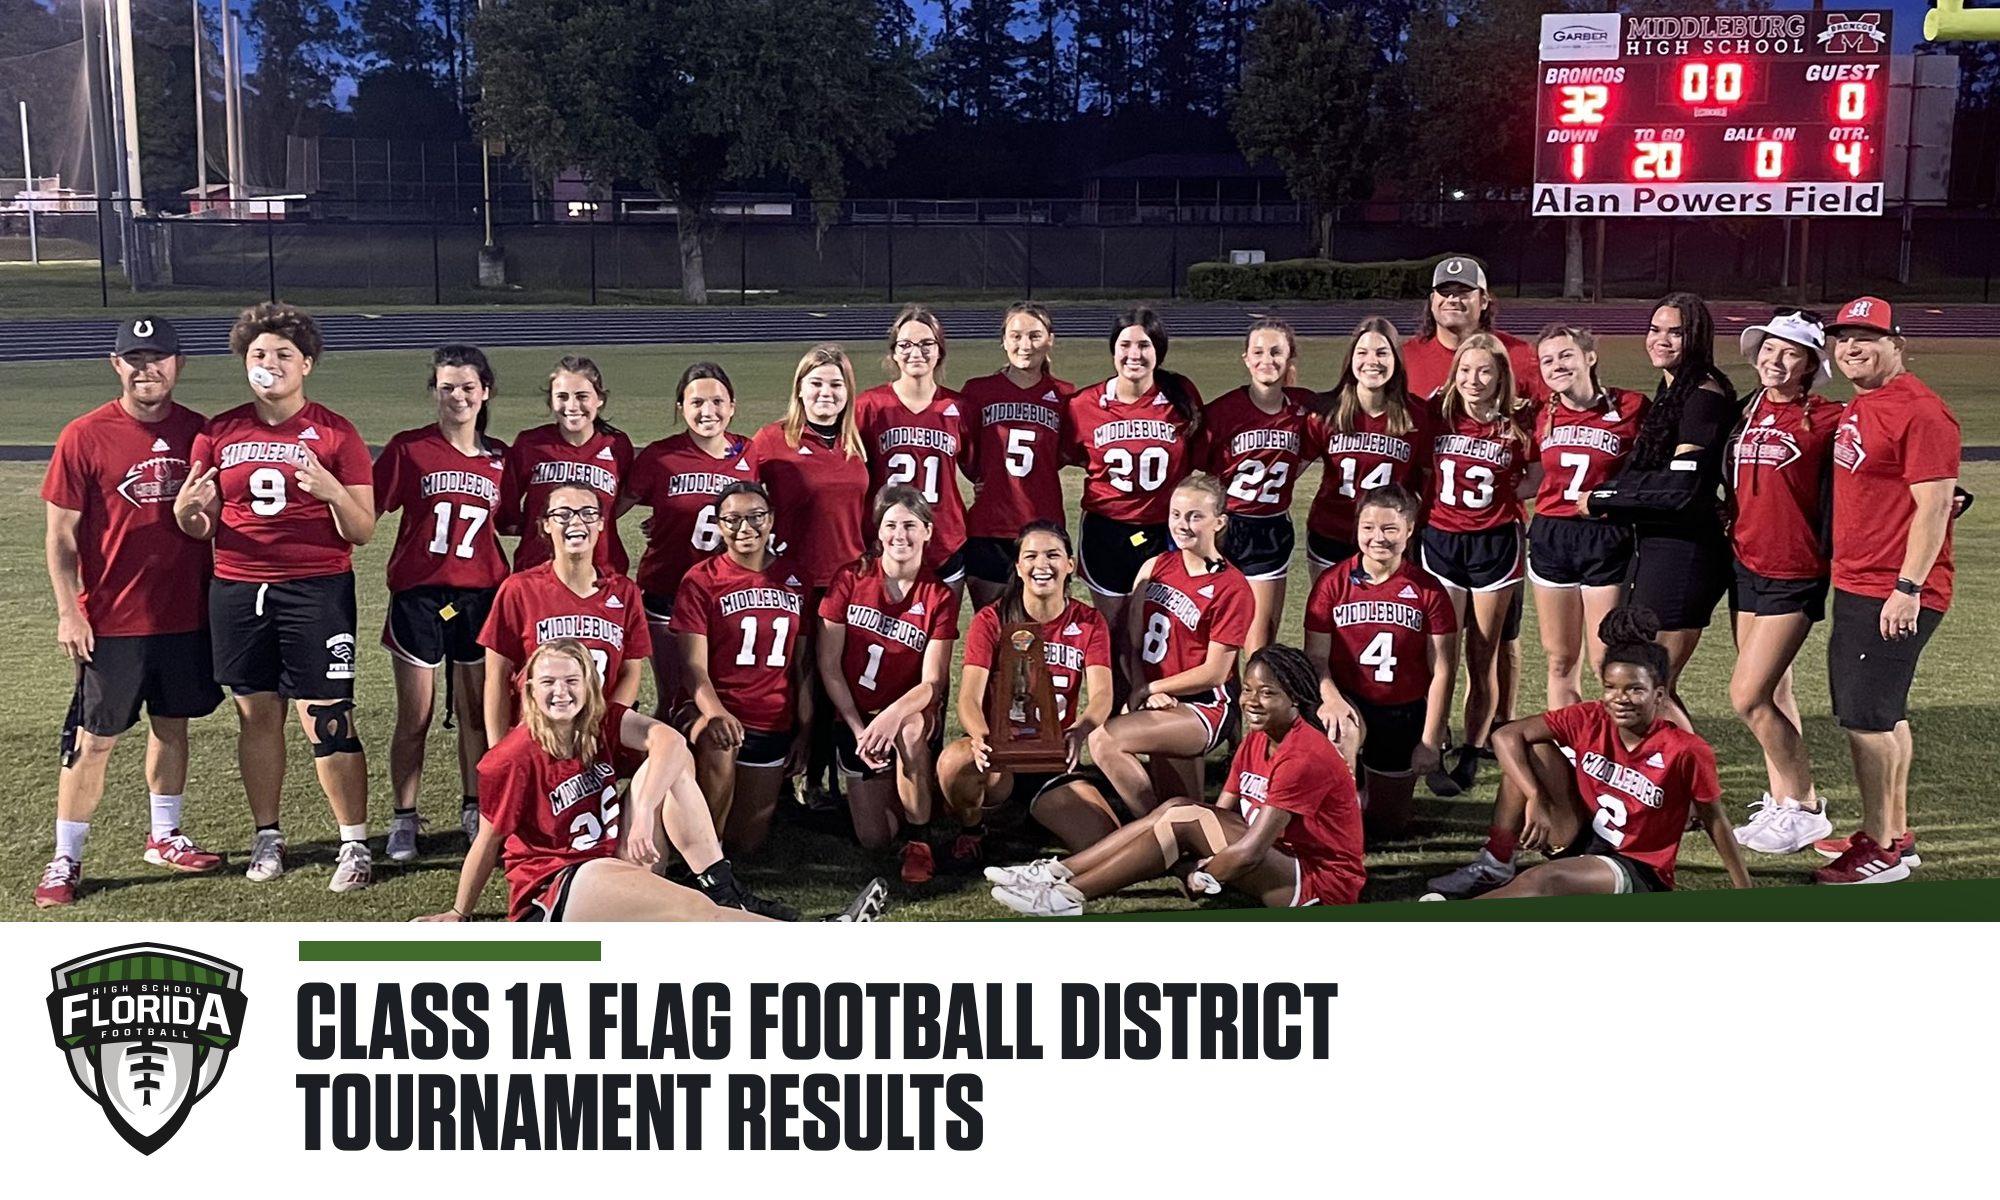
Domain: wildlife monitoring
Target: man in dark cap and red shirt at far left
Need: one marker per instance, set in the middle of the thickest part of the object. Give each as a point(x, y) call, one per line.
point(131, 603)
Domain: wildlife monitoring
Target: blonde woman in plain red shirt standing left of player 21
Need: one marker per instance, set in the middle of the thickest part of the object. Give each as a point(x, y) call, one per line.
point(815, 467)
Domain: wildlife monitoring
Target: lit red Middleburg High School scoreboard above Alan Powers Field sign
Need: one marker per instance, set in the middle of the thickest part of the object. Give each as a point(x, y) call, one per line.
point(1715, 115)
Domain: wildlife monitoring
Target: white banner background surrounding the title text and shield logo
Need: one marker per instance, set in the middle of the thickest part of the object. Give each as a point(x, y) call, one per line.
point(1537, 1059)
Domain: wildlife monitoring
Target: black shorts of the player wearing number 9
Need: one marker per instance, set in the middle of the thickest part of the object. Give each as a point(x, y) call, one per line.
point(295, 639)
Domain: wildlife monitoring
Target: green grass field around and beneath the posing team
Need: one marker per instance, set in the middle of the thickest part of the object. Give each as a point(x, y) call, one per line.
point(1953, 801)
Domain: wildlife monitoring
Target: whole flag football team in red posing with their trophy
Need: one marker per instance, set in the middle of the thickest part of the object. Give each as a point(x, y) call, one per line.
point(801, 587)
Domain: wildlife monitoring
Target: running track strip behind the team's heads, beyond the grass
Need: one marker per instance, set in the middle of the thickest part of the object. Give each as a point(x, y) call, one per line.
point(45, 341)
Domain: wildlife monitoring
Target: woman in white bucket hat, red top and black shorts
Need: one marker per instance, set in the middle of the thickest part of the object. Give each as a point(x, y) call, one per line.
point(1781, 483)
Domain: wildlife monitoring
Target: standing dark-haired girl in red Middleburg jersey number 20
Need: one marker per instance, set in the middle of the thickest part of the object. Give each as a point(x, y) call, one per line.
point(1131, 435)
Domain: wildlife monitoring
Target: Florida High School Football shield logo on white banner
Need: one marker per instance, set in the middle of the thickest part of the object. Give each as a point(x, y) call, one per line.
point(147, 1031)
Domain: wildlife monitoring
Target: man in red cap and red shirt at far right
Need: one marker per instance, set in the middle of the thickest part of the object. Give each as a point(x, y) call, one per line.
point(1895, 469)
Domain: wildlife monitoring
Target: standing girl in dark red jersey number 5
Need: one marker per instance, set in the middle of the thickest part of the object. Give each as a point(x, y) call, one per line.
point(1015, 449)
